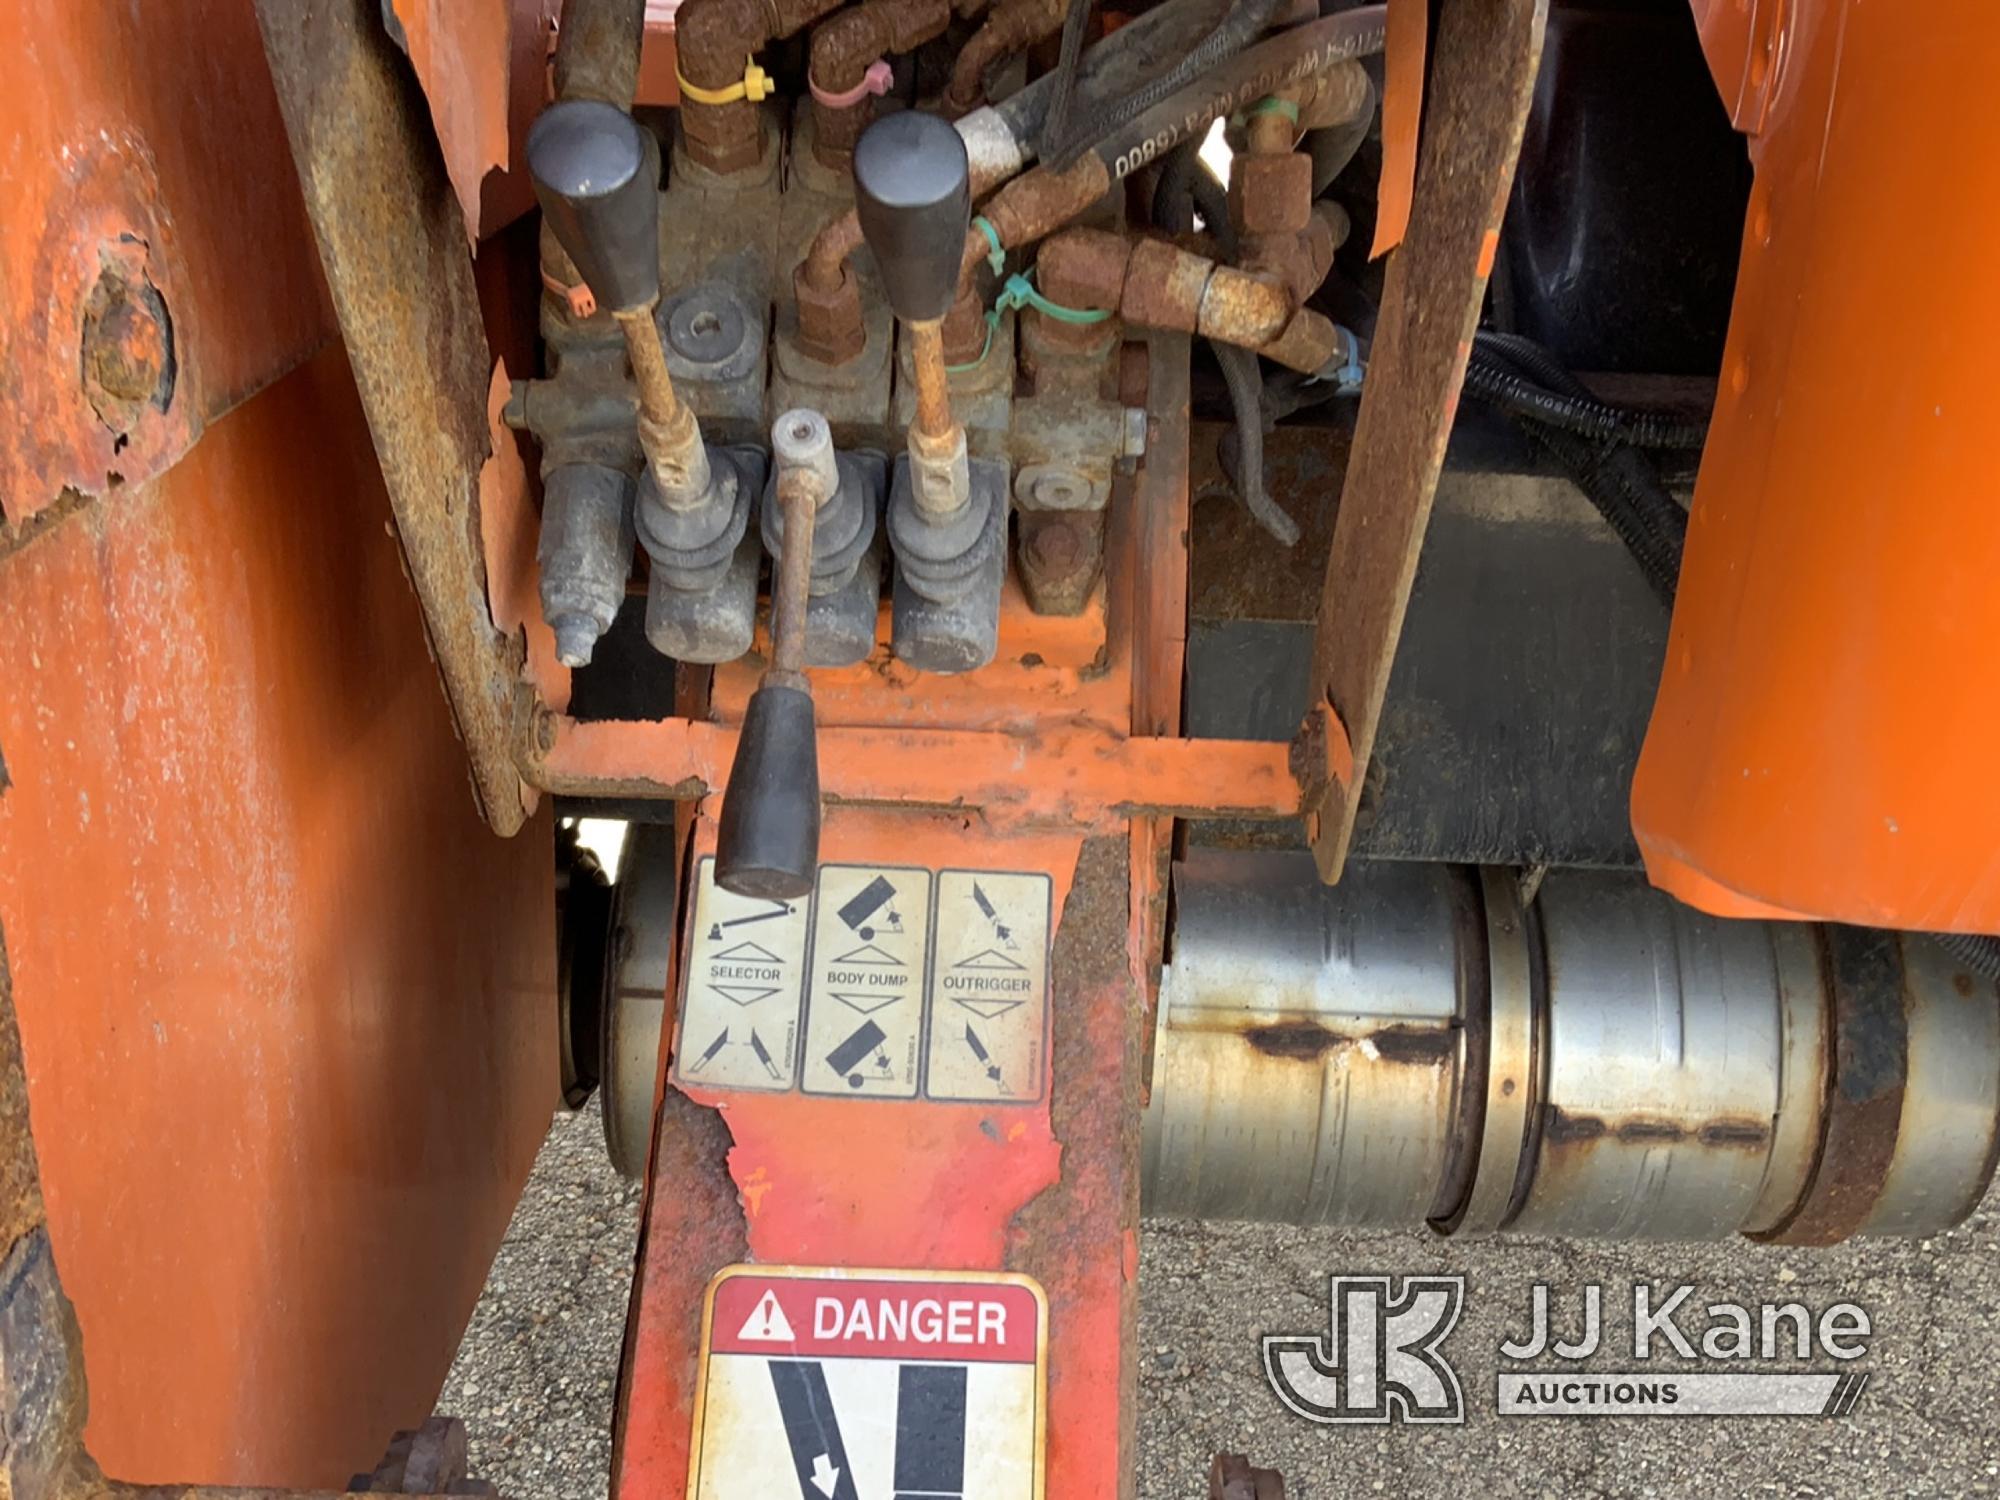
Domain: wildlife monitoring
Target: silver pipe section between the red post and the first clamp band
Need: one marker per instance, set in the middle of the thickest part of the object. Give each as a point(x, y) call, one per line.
point(1279, 995)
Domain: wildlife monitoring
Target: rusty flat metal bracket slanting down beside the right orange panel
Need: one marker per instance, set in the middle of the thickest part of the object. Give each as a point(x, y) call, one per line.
point(1483, 75)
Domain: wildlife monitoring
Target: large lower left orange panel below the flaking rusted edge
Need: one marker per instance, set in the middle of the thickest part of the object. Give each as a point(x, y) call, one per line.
point(249, 919)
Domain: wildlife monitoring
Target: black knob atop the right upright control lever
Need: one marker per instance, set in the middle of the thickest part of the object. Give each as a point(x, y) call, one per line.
point(913, 191)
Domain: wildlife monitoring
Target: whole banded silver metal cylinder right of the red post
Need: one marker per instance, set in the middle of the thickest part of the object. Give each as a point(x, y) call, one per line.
point(1603, 1063)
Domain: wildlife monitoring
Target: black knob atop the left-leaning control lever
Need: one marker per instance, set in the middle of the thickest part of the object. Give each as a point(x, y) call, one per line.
point(597, 189)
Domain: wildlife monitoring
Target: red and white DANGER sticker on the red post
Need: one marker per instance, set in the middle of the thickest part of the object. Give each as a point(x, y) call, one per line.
point(843, 1385)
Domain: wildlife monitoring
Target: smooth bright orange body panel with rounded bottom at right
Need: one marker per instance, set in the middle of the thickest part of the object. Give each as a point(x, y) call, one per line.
point(1823, 741)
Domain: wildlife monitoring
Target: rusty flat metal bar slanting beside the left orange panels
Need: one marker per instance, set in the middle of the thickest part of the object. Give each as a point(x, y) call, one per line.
point(395, 249)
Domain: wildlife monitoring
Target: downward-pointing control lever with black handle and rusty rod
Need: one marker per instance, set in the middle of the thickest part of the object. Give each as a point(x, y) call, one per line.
point(769, 839)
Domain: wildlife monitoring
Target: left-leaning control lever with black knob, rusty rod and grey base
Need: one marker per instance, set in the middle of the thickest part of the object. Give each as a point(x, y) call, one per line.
point(597, 179)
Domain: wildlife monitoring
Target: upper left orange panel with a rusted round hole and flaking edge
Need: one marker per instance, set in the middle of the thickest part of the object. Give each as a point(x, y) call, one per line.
point(165, 181)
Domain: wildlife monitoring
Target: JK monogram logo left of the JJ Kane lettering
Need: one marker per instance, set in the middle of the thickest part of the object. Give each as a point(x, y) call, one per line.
point(1381, 1359)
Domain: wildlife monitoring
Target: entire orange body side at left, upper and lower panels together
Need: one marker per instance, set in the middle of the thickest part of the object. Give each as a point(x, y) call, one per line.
point(287, 1003)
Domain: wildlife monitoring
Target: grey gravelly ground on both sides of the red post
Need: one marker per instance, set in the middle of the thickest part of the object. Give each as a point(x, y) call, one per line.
point(535, 1375)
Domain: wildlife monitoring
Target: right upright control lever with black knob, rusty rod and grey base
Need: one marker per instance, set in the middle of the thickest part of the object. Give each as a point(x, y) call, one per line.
point(947, 515)
